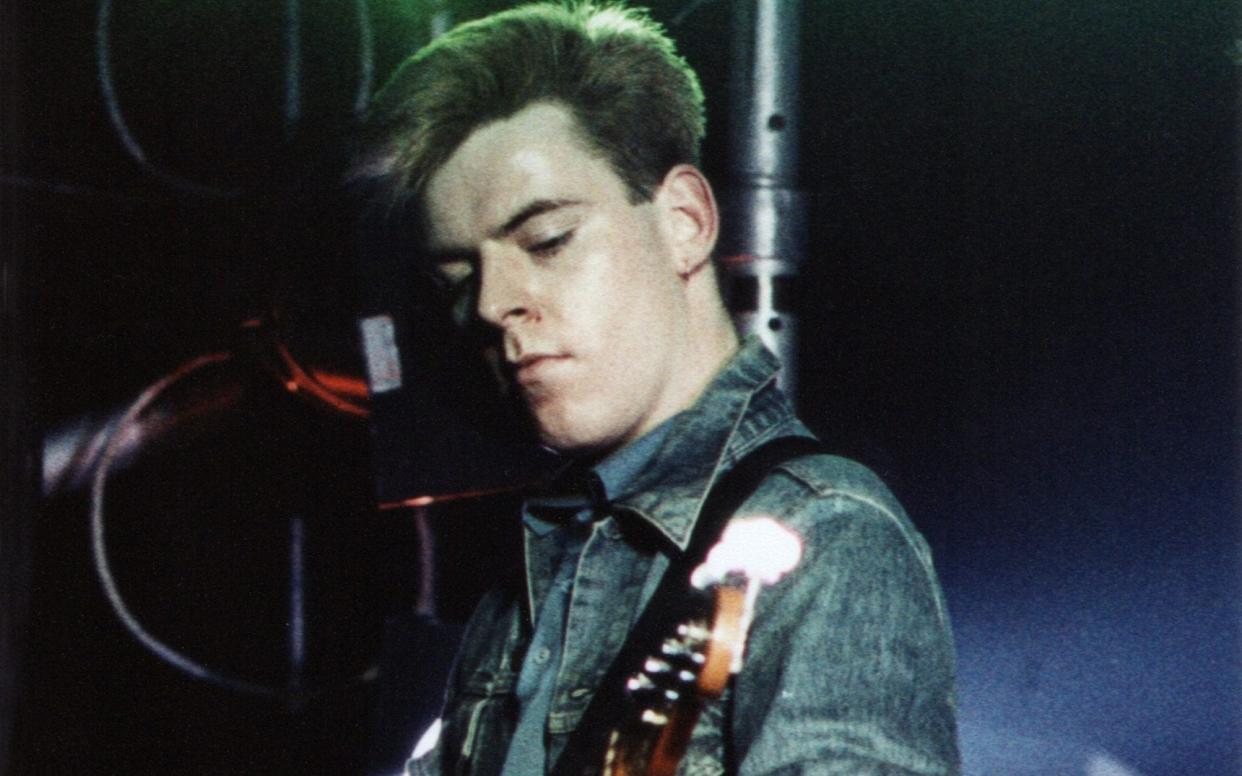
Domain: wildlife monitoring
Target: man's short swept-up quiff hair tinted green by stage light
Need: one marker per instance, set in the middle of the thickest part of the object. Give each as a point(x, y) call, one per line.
point(635, 99)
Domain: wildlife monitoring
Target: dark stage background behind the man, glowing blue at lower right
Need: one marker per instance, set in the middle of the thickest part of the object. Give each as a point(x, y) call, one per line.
point(1019, 306)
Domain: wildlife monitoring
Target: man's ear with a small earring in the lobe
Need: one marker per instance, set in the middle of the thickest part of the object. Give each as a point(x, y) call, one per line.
point(692, 223)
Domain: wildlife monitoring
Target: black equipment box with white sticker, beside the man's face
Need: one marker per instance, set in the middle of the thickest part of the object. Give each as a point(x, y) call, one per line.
point(443, 426)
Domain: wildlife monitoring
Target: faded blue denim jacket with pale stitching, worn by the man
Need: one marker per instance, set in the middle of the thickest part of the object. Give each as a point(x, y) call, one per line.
point(850, 662)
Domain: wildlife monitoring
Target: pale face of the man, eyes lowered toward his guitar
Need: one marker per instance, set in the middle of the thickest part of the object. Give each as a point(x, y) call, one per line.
point(582, 285)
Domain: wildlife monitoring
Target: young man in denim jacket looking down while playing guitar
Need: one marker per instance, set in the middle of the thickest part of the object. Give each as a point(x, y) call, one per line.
point(550, 155)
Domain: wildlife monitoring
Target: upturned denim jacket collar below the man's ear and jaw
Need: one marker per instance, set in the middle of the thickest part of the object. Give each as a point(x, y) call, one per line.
point(741, 409)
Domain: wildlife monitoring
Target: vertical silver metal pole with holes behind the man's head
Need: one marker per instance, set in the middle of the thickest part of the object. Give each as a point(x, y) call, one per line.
point(764, 239)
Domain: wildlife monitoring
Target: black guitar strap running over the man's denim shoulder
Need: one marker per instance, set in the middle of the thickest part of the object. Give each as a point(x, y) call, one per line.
point(668, 605)
